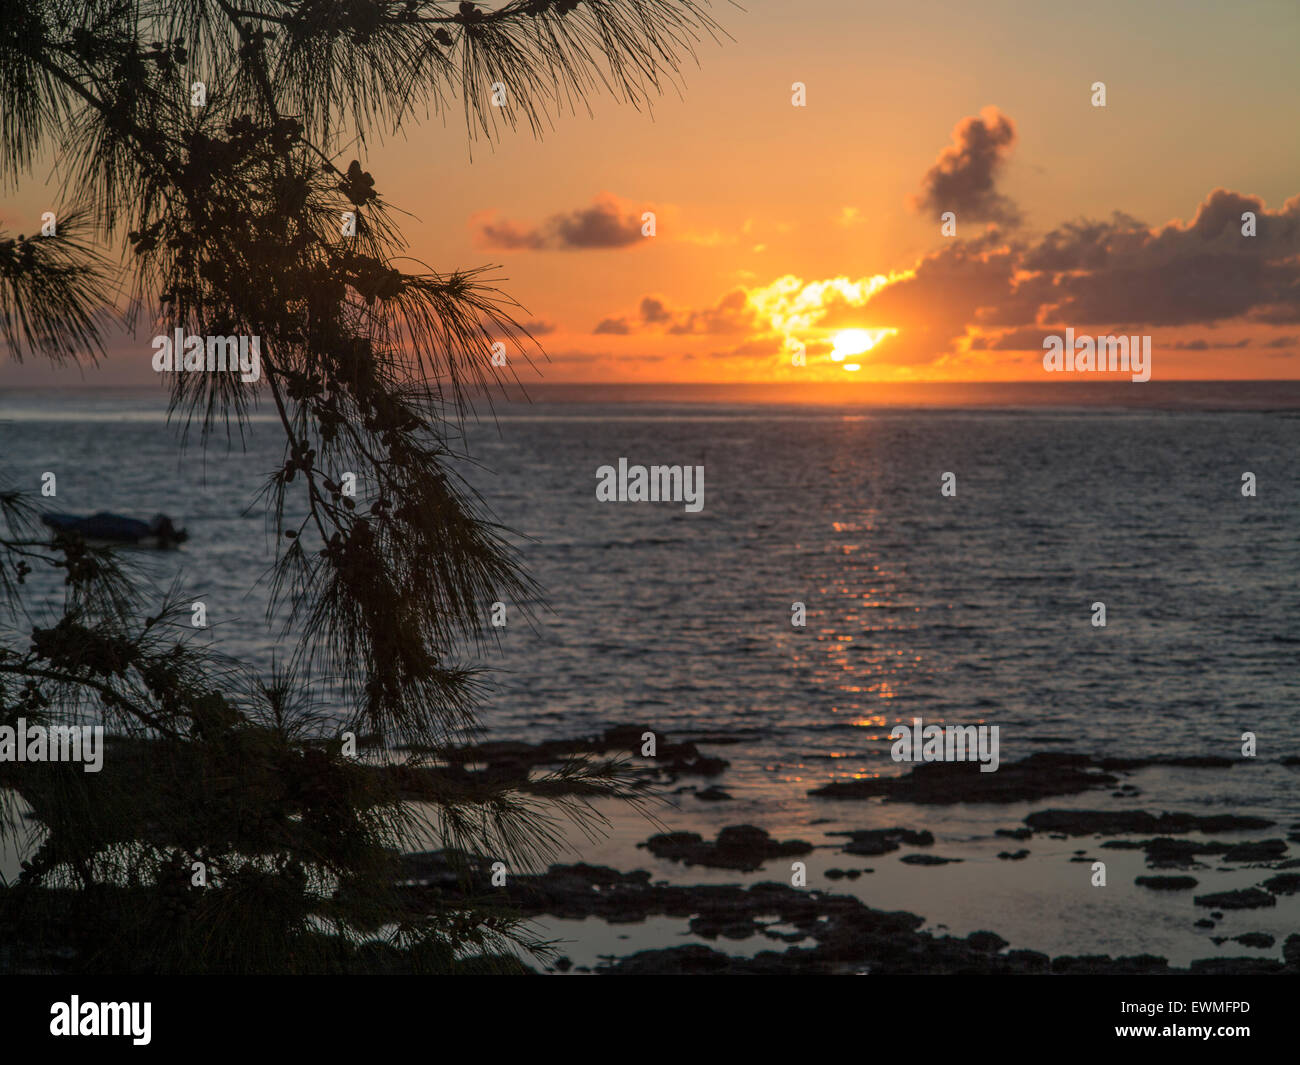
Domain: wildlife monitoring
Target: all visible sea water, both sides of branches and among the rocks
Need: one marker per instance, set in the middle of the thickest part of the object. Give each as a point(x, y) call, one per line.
point(969, 611)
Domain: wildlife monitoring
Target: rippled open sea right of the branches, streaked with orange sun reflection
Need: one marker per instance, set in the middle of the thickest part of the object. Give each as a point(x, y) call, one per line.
point(968, 609)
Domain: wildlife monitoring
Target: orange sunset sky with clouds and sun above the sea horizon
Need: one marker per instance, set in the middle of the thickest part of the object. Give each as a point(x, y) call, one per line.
point(781, 224)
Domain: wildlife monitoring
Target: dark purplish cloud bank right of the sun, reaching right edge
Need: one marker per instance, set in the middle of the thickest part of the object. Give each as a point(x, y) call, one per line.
point(1108, 276)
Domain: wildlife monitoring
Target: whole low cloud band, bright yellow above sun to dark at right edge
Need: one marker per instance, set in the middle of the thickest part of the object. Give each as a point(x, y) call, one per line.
point(994, 293)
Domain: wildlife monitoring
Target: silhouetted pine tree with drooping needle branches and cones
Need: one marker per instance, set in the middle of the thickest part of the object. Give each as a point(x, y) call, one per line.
point(232, 220)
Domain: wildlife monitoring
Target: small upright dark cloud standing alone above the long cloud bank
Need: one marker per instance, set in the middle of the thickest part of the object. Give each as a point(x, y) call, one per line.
point(965, 175)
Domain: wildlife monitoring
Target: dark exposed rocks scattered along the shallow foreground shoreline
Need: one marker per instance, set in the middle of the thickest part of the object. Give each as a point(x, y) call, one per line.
point(814, 930)
